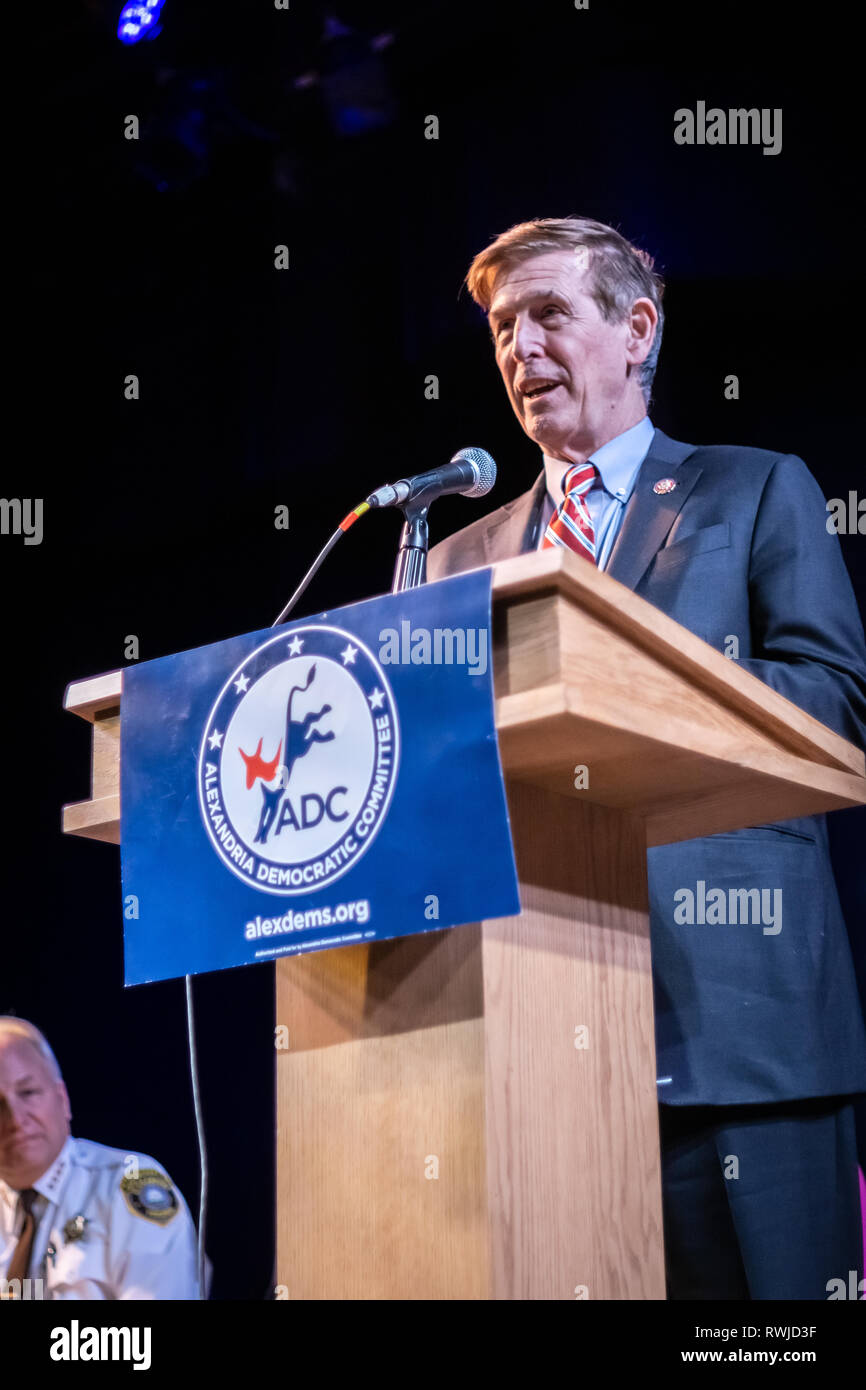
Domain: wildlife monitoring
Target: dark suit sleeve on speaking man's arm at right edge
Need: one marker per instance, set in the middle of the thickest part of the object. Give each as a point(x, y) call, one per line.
point(807, 632)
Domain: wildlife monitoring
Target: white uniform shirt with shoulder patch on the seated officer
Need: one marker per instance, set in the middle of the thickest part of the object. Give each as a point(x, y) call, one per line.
point(102, 1234)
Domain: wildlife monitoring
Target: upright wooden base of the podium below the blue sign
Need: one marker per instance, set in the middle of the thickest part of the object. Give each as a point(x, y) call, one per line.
point(472, 1114)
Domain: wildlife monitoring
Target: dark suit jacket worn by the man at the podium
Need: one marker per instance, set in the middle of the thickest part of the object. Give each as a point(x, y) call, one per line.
point(739, 548)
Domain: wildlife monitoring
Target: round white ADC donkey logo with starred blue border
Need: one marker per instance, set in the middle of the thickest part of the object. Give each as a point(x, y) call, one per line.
point(300, 761)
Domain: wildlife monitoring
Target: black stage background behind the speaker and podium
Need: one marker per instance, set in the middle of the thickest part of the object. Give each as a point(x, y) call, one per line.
point(307, 389)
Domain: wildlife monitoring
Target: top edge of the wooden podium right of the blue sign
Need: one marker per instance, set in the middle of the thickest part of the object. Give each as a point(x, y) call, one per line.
point(640, 622)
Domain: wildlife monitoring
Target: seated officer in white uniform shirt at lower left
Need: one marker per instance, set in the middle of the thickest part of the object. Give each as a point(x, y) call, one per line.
point(88, 1221)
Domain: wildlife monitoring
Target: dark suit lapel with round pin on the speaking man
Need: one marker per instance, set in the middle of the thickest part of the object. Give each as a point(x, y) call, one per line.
point(651, 515)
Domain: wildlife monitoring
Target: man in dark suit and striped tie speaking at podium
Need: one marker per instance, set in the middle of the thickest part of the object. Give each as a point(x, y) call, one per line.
point(760, 1039)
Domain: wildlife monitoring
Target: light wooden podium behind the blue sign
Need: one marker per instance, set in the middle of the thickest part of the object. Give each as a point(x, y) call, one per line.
point(472, 1114)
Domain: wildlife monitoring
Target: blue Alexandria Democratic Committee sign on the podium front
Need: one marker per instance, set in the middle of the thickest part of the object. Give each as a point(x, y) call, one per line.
point(326, 783)
